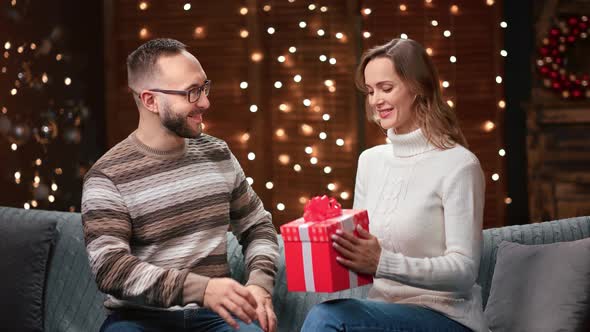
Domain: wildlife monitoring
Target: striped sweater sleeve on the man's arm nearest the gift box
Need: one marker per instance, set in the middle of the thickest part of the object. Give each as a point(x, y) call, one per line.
point(253, 227)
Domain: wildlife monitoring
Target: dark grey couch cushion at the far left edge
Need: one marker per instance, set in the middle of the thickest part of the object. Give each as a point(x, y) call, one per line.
point(24, 247)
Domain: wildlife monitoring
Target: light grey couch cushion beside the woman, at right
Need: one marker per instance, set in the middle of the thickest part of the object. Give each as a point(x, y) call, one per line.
point(541, 287)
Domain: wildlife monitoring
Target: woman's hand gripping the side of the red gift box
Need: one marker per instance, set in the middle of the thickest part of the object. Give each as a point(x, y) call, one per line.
point(358, 254)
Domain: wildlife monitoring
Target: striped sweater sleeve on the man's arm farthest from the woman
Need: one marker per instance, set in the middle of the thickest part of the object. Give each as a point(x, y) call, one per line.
point(107, 232)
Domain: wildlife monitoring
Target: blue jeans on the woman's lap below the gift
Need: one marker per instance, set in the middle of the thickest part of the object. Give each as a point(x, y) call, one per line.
point(372, 316)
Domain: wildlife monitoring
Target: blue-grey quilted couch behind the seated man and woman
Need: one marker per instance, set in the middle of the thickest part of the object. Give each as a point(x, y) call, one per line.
point(73, 303)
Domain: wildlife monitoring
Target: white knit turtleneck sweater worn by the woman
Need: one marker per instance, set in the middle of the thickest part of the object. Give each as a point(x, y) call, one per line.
point(425, 206)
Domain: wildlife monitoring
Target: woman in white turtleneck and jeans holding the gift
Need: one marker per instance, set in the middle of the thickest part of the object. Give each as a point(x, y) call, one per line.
point(425, 196)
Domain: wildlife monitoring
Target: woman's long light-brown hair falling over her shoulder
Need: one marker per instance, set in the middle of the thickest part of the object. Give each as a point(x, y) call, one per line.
point(415, 68)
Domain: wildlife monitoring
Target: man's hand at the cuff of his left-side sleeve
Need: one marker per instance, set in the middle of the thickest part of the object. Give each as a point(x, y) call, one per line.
point(226, 296)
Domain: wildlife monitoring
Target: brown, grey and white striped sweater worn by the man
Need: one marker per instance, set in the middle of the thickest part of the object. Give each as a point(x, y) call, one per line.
point(151, 217)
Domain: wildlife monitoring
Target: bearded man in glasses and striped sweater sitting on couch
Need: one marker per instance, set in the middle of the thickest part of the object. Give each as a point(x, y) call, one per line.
point(157, 206)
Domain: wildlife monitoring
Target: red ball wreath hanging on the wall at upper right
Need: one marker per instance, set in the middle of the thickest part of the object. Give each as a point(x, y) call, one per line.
point(552, 59)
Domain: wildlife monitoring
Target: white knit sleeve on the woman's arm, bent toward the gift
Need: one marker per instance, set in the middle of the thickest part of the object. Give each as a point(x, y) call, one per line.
point(456, 270)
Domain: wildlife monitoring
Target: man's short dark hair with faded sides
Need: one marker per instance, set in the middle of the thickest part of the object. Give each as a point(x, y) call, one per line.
point(141, 63)
